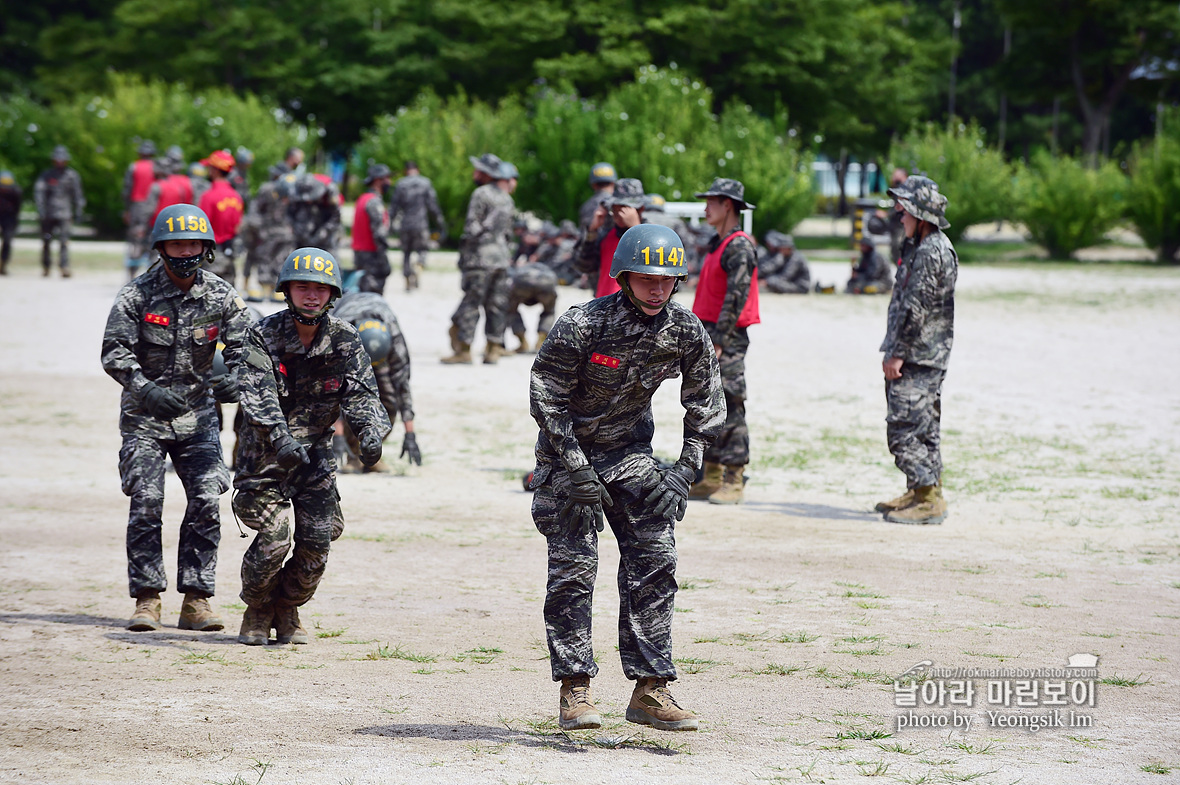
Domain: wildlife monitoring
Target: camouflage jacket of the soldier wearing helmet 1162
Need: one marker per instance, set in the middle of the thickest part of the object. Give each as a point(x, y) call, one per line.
point(289, 388)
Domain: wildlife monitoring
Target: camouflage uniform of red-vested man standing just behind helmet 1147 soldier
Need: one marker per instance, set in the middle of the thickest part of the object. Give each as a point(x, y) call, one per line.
point(732, 446)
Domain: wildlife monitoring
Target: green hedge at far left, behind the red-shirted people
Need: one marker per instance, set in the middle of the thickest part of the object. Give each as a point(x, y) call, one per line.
point(103, 133)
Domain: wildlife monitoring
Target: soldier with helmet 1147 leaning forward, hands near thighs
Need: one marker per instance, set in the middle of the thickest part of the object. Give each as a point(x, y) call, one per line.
point(591, 392)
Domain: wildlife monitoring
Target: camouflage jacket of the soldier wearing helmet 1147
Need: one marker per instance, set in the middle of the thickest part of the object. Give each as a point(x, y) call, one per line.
point(593, 382)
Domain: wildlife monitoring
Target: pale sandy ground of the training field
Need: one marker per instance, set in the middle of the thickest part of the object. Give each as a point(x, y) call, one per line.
point(796, 612)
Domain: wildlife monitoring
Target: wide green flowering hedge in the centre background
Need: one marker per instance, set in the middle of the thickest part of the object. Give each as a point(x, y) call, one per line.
point(659, 128)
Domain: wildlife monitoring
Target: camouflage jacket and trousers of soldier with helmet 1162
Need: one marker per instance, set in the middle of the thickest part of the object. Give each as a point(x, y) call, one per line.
point(289, 388)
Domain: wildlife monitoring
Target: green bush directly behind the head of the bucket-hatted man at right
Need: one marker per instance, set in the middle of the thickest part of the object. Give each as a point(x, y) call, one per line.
point(974, 178)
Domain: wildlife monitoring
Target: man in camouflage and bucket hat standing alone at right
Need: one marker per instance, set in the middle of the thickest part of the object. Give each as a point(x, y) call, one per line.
point(917, 349)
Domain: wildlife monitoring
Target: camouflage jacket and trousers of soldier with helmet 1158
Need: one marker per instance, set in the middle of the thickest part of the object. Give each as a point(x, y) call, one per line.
point(161, 335)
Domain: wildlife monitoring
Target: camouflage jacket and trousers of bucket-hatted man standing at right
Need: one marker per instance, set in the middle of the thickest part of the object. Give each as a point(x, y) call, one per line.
point(921, 331)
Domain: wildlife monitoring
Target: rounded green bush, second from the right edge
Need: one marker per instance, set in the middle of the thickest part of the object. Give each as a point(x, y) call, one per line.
point(1066, 206)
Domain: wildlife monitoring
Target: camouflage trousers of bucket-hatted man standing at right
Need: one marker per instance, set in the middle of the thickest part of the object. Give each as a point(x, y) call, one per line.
point(913, 423)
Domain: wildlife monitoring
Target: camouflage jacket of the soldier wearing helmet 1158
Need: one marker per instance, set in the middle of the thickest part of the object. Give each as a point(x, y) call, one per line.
point(159, 333)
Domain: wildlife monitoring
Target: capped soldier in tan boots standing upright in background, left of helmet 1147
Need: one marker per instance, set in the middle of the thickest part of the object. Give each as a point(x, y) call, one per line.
point(484, 263)
